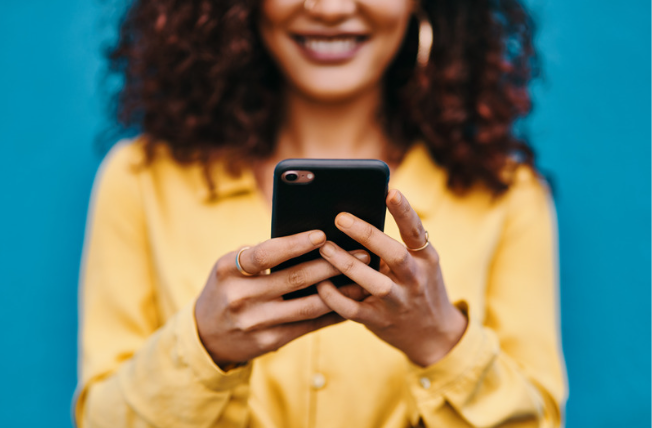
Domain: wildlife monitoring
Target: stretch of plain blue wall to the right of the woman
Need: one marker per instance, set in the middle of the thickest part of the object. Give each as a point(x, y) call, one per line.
point(592, 129)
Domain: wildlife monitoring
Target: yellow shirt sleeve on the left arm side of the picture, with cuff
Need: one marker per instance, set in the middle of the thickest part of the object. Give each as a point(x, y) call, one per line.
point(135, 371)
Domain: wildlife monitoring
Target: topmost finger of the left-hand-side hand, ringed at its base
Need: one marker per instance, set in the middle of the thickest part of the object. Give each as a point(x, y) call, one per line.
point(275, 251)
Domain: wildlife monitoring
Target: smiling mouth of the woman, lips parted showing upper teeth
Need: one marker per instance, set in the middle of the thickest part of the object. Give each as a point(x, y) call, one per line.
point(330, 48)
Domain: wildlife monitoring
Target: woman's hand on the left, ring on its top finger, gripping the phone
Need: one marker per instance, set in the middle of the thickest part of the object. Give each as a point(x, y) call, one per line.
point(240, 317)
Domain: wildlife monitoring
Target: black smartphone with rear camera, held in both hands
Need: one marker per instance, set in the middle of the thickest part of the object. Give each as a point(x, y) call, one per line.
point(309, 193)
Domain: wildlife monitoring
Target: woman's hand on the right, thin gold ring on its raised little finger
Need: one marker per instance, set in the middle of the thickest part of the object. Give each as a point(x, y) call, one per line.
point(408, 306)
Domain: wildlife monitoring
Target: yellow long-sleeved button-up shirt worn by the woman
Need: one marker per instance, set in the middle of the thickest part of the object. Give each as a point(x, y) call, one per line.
point(153, 236)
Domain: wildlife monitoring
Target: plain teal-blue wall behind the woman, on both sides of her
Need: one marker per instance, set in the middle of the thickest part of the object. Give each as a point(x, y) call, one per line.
point(591, 128)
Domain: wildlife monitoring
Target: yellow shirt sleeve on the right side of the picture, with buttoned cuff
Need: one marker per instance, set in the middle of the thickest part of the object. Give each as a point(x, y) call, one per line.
point(507, 370)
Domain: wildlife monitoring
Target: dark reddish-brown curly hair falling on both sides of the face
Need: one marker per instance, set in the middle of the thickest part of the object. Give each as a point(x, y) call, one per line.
point(198, 79)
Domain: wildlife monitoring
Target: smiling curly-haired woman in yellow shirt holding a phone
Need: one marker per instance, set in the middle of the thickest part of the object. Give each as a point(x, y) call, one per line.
point(223, 91)
